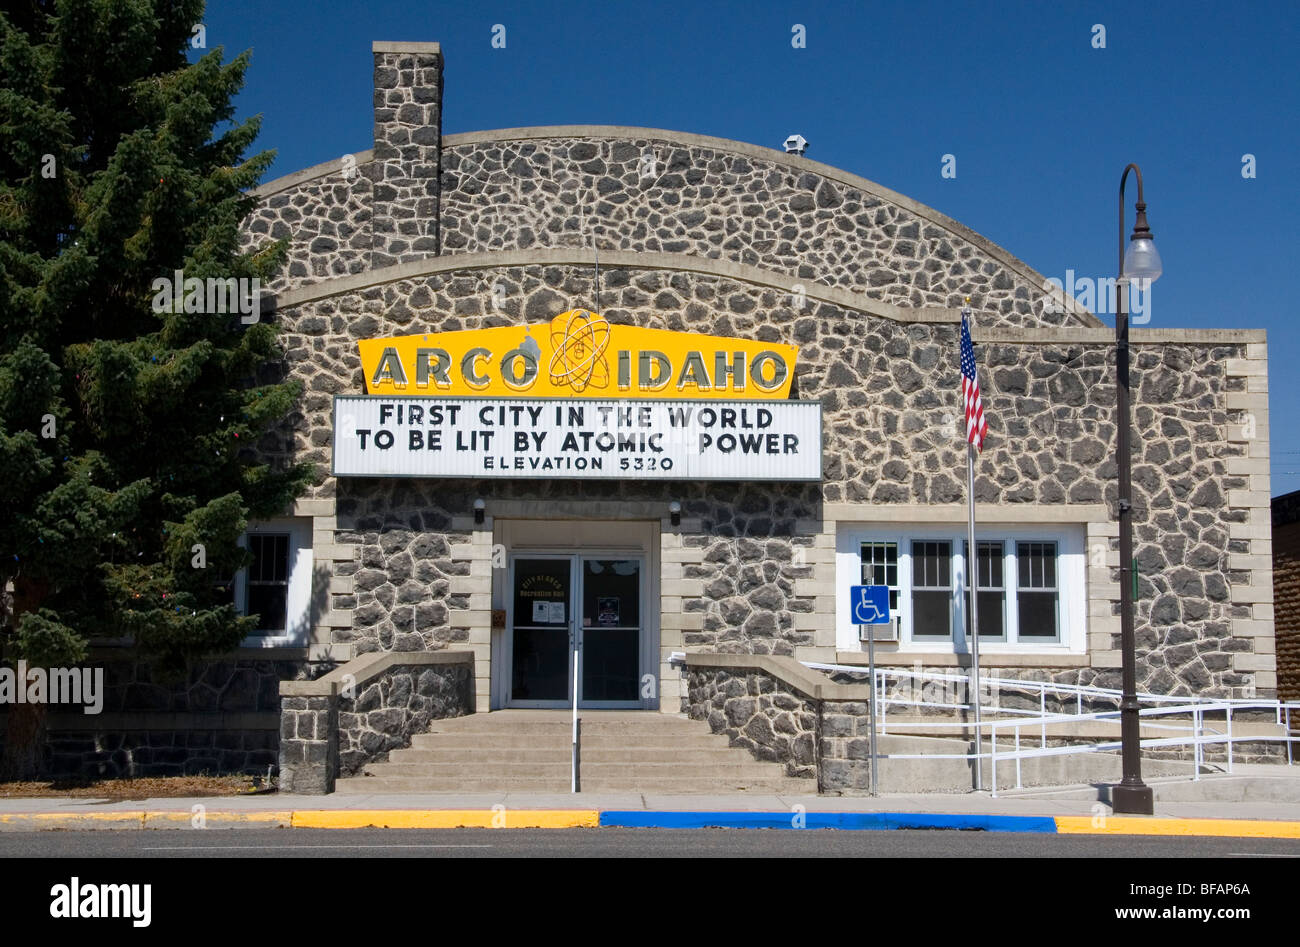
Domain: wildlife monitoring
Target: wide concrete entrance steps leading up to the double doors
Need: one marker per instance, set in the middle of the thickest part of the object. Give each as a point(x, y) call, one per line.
point(530, 751)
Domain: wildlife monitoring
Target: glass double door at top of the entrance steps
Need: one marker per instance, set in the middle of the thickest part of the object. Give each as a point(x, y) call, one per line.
point(590, 606)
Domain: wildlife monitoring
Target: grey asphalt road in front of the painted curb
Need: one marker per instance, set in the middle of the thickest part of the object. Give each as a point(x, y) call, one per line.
point(639, 844)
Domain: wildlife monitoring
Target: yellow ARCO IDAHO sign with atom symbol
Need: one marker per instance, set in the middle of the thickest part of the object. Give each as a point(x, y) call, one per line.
point(578, 354)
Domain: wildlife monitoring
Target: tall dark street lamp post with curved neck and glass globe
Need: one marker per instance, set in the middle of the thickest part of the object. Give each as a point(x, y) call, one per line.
point(1141, 262)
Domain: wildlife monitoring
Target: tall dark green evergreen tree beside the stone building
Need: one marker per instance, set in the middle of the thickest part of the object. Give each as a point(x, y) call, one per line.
point(128, 464)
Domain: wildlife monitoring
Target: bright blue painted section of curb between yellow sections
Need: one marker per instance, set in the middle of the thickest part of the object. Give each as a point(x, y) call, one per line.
point(636, 819)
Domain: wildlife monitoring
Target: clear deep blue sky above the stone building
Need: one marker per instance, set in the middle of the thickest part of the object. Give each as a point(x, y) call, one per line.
point(1041, 123)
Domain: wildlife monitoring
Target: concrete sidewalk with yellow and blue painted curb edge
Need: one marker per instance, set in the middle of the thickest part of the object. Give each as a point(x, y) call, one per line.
point(1073, 810)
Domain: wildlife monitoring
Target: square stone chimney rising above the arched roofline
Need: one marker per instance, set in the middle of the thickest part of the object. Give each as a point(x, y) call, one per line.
point(408, 152)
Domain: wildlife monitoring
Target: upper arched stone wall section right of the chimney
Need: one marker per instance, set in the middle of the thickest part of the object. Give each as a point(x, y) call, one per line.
point(649, 194)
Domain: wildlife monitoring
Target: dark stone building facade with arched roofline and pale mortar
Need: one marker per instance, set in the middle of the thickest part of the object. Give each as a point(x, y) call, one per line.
point(427, 235)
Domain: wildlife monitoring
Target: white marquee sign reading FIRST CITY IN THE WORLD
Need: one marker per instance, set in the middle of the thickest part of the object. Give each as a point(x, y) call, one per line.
point(578, 438)
